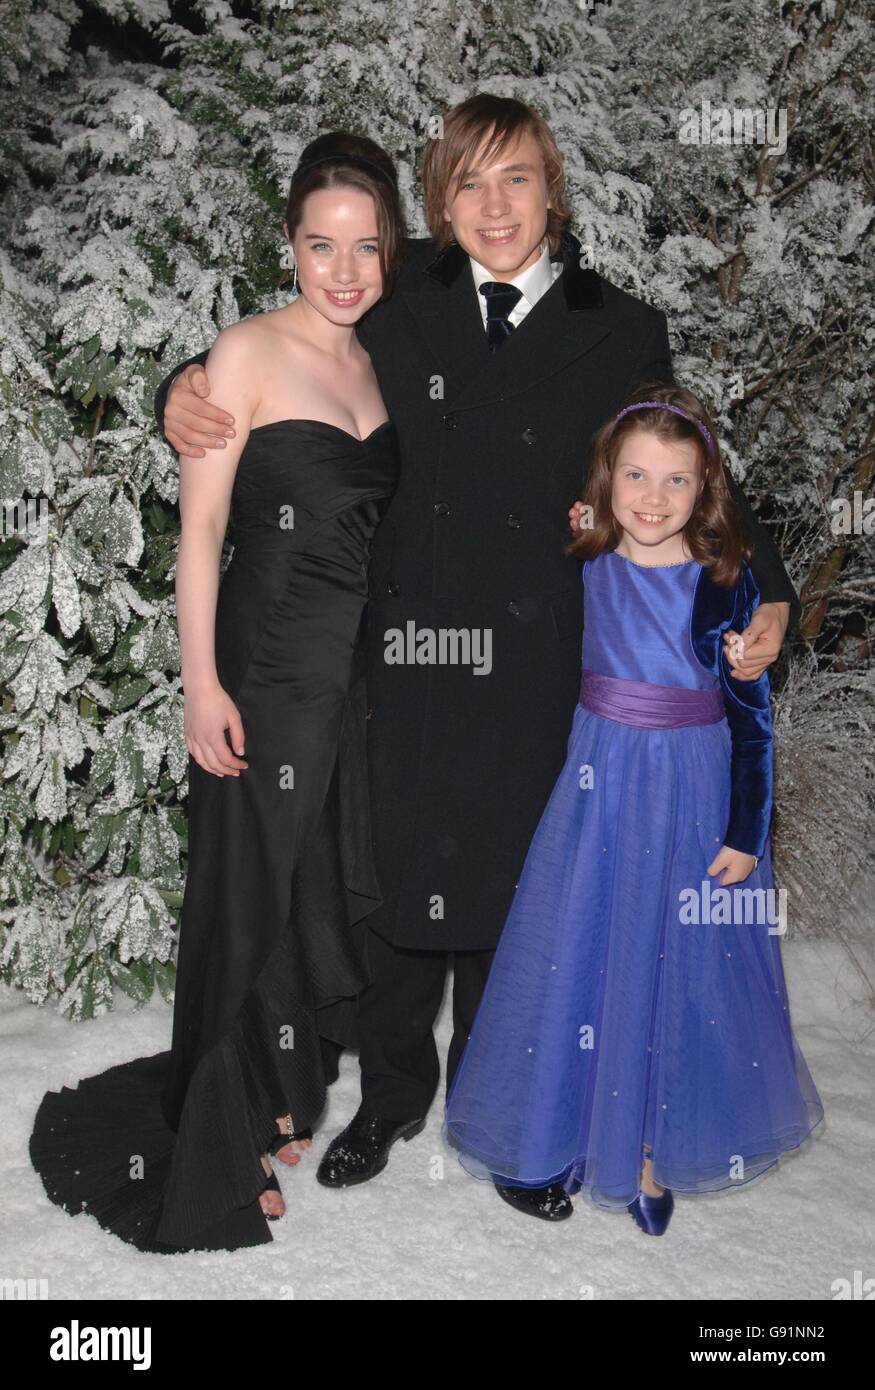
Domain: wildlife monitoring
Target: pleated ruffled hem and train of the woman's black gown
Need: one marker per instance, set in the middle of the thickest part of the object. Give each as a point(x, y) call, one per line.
point(105, 1146)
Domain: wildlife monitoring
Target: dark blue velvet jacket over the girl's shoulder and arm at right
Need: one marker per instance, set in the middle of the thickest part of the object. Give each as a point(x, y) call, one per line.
point(748, 707)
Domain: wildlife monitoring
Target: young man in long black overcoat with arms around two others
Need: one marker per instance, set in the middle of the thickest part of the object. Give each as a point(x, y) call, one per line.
point(499, 357)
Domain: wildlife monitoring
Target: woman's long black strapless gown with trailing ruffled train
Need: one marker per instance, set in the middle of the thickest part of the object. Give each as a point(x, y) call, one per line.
point(165, 1150)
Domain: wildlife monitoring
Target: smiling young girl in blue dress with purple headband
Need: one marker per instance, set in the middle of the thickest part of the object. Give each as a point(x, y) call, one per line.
point(635, 1035)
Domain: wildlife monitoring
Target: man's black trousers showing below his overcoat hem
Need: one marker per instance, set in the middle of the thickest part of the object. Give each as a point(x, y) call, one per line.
point(397, 1052)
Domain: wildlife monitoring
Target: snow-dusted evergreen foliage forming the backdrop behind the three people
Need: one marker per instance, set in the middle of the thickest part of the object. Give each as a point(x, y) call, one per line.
point(145, 158)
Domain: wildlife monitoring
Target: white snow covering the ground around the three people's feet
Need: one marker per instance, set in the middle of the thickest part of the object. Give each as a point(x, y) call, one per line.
point(426, 1231)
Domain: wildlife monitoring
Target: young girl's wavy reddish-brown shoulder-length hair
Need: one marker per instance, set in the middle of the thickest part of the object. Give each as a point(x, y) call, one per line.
point(714, 532)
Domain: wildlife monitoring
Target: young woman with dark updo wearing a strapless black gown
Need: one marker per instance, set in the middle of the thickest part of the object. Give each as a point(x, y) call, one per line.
point(170, 1152)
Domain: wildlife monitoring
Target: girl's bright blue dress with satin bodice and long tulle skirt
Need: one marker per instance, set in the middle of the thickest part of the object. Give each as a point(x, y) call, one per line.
point(616, 1025)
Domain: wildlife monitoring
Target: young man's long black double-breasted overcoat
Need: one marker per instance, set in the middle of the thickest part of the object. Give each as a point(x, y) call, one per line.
point(464, 754)
